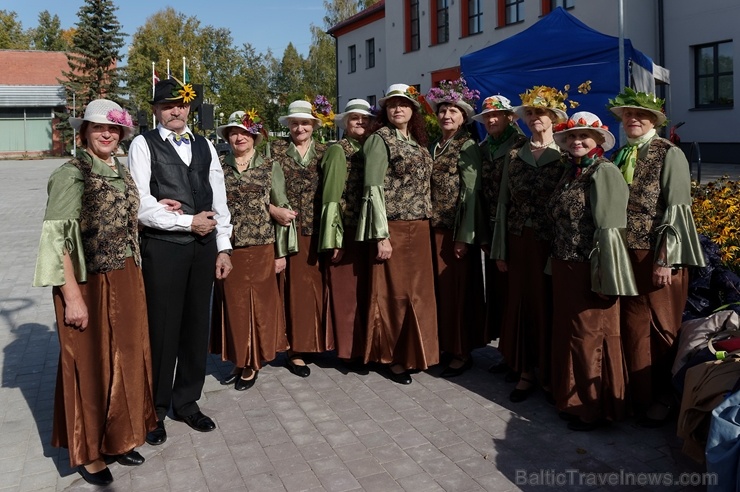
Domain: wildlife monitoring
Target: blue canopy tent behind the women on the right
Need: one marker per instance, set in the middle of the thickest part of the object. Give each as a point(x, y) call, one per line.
point(558, 50)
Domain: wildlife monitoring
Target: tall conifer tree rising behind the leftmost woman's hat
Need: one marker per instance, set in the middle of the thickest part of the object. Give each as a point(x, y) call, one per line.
point(92, 59)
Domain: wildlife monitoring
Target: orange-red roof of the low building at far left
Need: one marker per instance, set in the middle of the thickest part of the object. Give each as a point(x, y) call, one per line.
point(26, 67)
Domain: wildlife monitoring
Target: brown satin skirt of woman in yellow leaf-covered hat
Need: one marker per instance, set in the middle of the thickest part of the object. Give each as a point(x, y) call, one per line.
point(526, 331)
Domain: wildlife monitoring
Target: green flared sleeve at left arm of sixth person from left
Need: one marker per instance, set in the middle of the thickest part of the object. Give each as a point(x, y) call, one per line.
point(373, 222)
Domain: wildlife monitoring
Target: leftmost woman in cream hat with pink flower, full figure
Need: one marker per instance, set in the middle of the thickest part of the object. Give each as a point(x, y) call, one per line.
point(89, 253)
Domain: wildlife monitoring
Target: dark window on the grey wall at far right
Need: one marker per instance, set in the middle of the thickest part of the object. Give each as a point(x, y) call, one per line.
point(713, 78)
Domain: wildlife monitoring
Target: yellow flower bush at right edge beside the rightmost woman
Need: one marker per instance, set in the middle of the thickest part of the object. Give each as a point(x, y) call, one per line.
point(715, 207)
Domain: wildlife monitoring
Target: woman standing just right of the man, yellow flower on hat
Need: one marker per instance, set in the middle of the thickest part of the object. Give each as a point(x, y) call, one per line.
point(248, 319)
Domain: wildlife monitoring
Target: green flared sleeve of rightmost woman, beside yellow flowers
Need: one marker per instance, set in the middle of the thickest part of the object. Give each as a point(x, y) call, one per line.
point(677, 226)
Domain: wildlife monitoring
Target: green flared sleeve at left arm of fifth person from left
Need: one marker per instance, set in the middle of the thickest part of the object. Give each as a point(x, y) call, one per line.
point(334, 167)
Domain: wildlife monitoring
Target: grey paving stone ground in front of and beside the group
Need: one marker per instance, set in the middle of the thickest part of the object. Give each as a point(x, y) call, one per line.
point(335, 430)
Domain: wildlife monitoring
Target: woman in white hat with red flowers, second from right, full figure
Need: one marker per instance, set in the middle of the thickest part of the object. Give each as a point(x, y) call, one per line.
point(590, 270)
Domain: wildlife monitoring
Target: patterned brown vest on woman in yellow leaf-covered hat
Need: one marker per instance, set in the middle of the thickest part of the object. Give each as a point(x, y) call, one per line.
point(531, 188)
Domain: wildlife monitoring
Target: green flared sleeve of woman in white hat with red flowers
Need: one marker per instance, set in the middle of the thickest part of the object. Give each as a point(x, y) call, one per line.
point(611, 270)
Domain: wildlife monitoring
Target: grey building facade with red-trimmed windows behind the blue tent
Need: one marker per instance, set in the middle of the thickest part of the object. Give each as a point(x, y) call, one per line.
point(422, 42)
